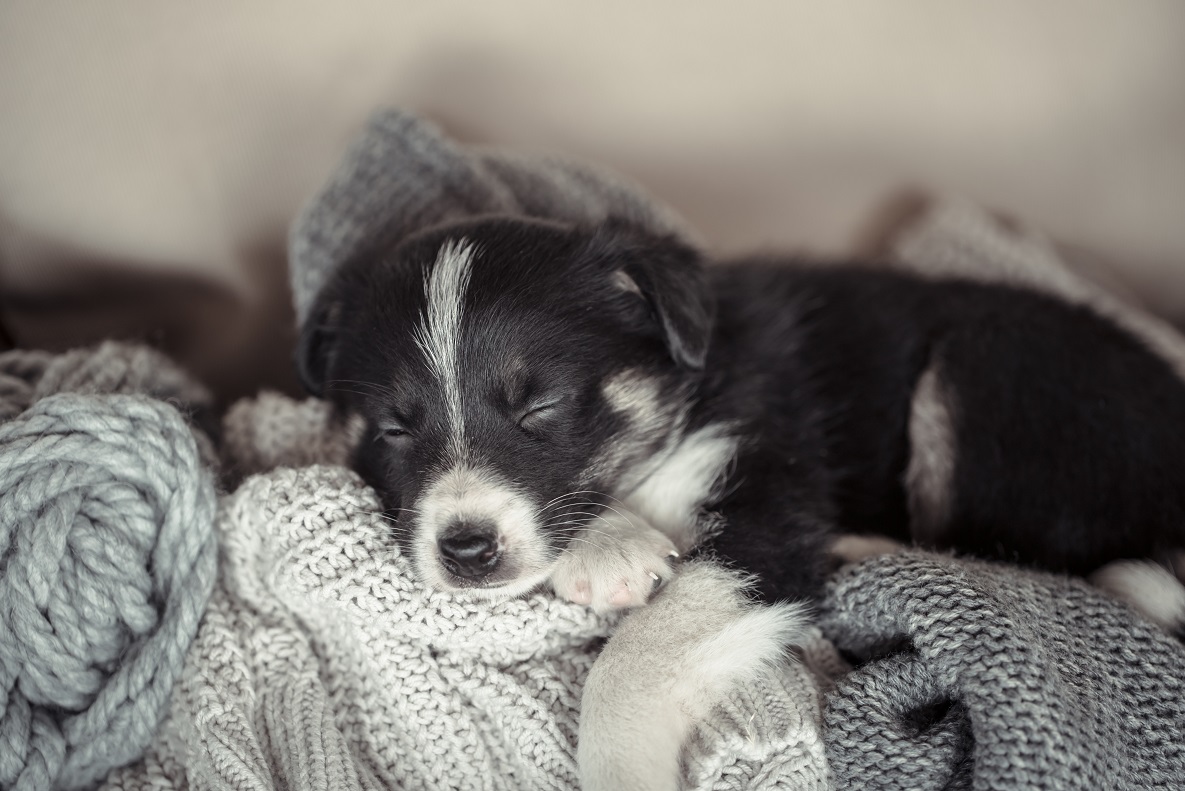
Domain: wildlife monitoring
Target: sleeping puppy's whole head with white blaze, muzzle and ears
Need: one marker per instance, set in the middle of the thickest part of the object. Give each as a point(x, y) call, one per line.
point(511, 375)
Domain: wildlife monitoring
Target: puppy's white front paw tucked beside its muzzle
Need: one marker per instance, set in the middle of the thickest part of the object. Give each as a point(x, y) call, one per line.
point(617, 562)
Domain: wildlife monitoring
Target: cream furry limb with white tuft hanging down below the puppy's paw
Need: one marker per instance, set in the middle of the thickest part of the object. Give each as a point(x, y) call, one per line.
point(668, 666)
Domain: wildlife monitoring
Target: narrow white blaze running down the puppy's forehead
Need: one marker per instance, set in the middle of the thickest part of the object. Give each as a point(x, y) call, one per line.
point(440, 332)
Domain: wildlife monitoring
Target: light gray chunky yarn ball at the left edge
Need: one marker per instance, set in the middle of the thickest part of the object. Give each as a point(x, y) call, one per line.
point(107, 558)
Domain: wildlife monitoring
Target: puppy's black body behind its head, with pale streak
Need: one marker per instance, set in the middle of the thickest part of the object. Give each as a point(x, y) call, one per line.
point(983, 419)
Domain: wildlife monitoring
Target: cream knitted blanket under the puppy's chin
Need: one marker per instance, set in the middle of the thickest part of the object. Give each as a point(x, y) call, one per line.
point(323, 664)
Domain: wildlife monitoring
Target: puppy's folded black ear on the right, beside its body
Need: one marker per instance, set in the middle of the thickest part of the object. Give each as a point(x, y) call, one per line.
point(670, 276)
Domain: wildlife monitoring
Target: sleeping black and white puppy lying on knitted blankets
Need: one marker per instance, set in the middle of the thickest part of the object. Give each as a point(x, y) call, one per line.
point(580, 407)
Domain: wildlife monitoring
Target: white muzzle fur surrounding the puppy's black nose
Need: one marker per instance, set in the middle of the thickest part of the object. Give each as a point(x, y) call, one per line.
point(470, 494)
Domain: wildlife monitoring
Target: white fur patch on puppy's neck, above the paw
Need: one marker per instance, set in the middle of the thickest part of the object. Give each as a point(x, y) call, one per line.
point(681, 481)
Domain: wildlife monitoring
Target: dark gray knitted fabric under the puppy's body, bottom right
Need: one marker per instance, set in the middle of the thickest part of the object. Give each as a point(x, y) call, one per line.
point(985, 677)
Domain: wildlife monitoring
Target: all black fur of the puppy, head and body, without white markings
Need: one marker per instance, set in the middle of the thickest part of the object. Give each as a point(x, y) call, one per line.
point(1066, 430)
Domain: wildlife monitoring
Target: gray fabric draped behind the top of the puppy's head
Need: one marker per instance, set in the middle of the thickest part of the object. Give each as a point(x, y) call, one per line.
point(403, 176)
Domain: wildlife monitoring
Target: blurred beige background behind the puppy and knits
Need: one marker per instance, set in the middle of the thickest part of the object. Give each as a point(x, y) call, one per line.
point(153, 155)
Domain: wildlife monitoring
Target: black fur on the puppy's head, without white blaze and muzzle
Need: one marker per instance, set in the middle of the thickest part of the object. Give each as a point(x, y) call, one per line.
point(547, 324)
